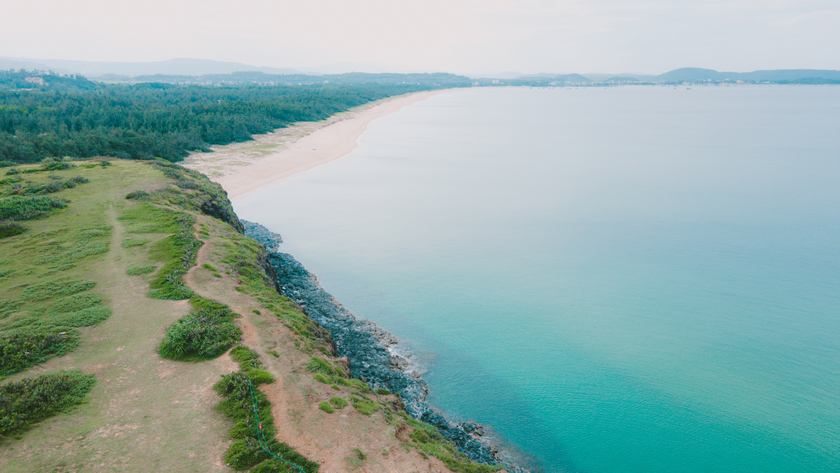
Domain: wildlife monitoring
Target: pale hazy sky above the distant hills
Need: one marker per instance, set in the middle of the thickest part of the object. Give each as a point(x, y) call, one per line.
point(465, 36)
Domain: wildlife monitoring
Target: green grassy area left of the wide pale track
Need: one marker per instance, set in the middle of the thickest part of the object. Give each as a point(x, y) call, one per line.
point(43, 277)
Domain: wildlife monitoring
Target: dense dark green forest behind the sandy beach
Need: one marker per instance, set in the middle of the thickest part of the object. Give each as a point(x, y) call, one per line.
point(83, 119)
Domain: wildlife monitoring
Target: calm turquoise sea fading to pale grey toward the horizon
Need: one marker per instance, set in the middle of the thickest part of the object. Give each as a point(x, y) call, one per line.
point(629, 279)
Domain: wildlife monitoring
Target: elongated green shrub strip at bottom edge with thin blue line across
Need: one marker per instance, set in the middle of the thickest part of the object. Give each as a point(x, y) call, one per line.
point(241, 398)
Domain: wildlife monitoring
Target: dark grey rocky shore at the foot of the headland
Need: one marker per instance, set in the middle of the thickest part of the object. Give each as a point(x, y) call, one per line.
point(367, 348)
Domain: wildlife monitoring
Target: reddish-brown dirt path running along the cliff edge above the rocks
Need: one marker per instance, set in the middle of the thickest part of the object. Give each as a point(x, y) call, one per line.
point(329, 439)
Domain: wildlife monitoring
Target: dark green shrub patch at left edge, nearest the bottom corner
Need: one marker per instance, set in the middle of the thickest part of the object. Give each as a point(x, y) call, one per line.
point(31, 400)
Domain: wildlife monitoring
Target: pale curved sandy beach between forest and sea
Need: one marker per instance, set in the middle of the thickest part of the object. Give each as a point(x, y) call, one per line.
point(244, 167)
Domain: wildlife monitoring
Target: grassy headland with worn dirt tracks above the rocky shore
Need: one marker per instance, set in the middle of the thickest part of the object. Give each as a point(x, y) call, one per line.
point(127, 309)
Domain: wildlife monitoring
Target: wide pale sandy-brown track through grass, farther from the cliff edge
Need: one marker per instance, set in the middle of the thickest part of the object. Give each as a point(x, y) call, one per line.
point(145, 413)
